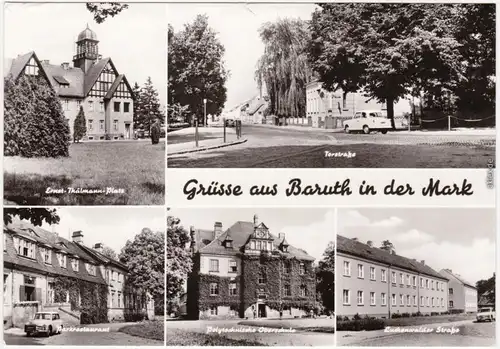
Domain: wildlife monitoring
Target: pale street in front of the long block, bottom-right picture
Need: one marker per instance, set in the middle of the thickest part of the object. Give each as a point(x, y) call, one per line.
point(469, 334)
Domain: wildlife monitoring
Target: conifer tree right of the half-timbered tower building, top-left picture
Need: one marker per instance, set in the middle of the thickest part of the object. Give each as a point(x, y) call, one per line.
point(146, 106)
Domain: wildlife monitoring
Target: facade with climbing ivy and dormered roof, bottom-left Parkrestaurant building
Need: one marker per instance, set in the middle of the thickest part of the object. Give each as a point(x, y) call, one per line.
point(41, 270)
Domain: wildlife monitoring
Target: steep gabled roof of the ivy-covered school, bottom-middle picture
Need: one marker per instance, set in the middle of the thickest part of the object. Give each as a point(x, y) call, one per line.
point(240, 233)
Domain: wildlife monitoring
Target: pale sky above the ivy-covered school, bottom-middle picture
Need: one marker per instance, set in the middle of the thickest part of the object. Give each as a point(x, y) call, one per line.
point(310, 229)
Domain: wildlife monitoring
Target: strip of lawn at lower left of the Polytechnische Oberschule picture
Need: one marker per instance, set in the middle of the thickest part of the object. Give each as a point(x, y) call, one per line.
point(177, 337)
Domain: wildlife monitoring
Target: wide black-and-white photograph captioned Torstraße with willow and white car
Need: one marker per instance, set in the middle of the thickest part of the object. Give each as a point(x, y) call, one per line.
point(331, 85)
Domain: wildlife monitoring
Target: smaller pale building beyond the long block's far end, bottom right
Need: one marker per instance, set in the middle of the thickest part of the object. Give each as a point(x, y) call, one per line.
point(462, 295)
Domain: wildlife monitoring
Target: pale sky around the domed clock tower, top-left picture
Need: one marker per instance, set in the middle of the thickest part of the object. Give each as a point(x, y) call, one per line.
point(135, 39)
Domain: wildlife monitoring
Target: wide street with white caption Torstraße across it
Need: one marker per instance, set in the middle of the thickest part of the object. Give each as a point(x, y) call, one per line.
point(285, 147)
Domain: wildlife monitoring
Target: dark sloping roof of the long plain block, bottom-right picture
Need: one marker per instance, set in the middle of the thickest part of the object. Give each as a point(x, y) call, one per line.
point(359, 249)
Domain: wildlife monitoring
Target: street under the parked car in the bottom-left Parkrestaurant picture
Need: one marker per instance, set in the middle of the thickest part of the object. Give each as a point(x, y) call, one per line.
point(16, 336)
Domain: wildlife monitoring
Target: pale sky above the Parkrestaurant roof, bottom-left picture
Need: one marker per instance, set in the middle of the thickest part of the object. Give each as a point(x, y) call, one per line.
point(112, 226)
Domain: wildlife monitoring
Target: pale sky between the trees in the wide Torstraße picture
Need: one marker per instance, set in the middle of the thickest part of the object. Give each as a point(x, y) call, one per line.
point(237, 26)
